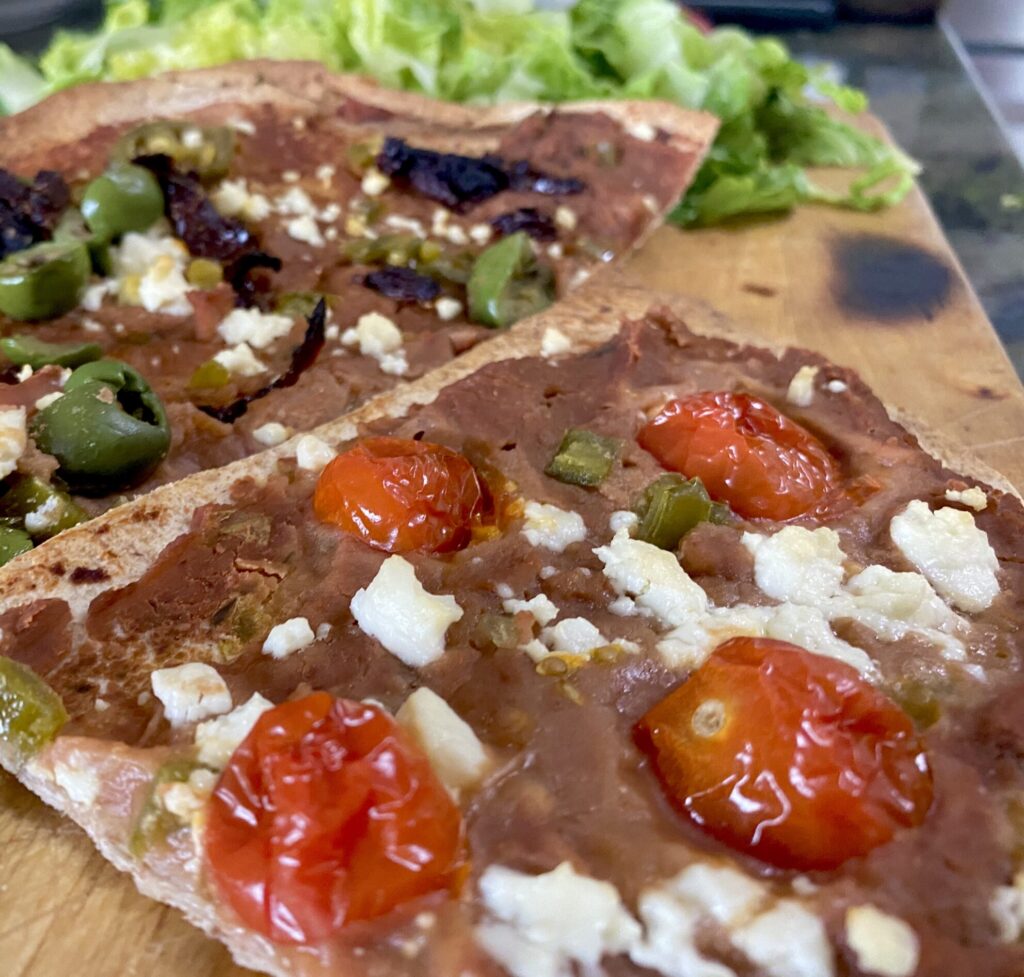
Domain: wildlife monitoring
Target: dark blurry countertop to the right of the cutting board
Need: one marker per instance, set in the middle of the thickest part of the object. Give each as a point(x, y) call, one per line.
point(922, 87)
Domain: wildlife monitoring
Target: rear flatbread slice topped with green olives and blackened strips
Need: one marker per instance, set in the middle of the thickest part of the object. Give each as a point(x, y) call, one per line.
point(281, 184)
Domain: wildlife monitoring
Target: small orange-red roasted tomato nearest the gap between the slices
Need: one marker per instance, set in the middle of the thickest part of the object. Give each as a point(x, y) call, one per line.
point(402, 496)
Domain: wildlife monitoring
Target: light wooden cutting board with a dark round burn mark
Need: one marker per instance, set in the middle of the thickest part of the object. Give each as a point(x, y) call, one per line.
point(882, 293)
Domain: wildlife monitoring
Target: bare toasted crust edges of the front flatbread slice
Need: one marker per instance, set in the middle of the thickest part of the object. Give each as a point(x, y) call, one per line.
point(63, 570)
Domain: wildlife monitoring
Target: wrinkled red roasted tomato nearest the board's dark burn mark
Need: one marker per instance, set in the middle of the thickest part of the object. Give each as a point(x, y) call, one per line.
point(746, 453)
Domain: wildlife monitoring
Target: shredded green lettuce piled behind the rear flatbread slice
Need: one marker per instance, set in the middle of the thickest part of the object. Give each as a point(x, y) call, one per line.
point(780, 117)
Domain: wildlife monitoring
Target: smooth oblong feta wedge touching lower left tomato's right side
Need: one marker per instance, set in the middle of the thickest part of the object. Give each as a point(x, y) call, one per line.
point(455, 752)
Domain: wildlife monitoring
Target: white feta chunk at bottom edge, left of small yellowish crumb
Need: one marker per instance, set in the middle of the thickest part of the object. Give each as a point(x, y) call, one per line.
point(787, 942)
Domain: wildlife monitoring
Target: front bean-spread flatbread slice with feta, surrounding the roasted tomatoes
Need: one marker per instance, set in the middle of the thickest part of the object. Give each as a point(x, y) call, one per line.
point(540, 649)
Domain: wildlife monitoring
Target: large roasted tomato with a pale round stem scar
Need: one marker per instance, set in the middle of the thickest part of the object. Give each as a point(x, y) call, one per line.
point(789, 756)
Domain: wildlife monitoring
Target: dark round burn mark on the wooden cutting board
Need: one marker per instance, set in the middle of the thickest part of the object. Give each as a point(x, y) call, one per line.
point(886, 280)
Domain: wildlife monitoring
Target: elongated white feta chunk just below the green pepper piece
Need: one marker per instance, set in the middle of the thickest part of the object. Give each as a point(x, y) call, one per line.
point(654, 578)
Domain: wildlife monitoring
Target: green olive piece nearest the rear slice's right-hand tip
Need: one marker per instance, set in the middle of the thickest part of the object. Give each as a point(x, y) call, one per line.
point(508, 284)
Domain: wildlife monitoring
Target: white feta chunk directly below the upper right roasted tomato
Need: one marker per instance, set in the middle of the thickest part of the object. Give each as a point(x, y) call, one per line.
point(798, 565)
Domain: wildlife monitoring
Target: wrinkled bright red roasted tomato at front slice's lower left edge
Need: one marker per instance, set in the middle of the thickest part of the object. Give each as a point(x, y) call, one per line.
point(328, 814)
